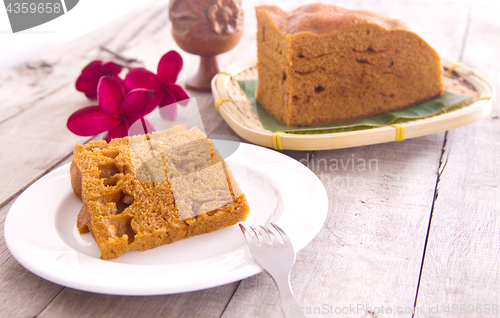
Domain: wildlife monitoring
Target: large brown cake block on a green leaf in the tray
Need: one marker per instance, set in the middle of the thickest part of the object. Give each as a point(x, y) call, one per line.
point(323, 64)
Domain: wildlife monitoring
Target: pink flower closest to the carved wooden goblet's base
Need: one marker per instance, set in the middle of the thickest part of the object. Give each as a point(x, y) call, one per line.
point(166, 92)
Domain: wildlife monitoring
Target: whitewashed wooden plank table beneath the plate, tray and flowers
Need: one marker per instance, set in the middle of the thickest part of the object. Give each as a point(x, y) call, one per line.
point(422, 230)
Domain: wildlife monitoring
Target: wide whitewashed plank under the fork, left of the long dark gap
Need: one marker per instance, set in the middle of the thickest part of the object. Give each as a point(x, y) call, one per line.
point(370, 250)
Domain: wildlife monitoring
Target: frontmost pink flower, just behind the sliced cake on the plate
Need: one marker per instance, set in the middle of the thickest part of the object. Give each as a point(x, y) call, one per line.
point(118, 112)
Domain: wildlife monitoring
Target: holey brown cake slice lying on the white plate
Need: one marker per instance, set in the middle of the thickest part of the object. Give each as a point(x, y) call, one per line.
point(144, 191)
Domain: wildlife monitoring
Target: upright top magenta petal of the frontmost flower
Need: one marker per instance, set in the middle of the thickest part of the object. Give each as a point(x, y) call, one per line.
point(110, 93)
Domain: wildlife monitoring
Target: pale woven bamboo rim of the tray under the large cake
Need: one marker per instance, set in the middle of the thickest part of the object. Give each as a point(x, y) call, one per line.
point(326, 141)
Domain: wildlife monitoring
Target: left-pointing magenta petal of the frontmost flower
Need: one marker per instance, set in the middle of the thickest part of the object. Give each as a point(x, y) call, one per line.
point(90, 121)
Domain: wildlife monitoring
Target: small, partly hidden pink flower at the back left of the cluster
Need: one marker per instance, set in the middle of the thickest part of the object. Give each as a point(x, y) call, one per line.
point(88, 80)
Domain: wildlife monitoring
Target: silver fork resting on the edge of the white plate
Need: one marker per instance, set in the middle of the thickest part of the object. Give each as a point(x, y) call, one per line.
point(276, 256)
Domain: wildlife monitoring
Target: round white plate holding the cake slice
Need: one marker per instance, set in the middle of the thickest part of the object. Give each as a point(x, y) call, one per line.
point(41, 234)
